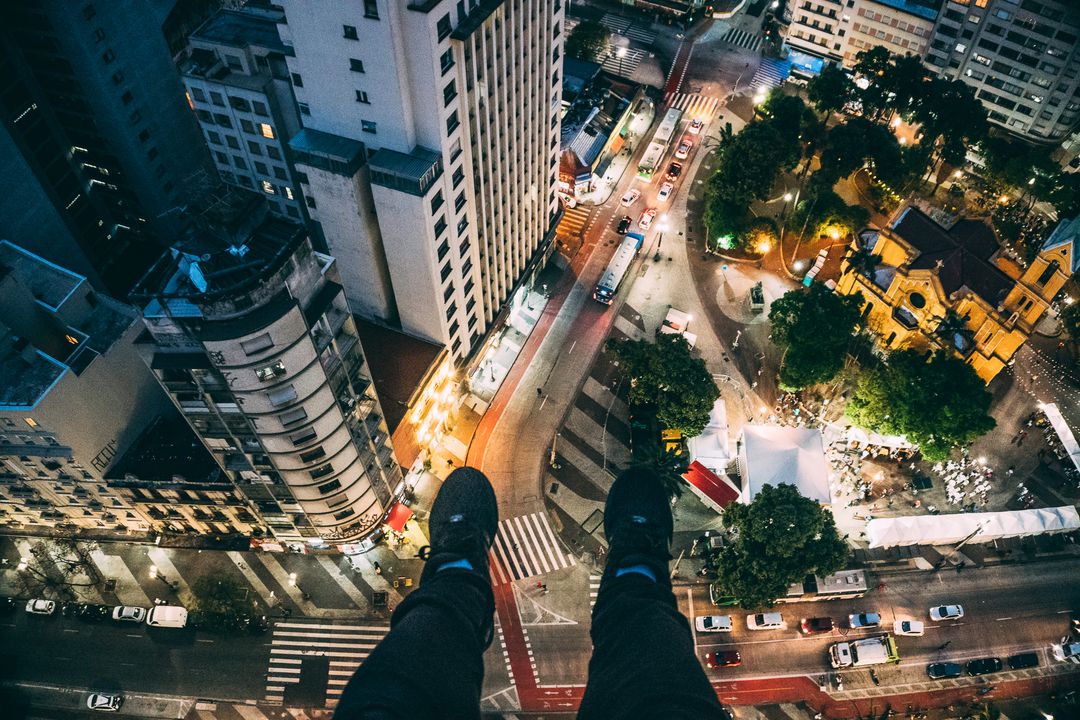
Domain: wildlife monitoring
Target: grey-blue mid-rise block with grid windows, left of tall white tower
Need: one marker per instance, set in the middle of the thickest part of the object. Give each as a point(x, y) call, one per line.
point(238, 85)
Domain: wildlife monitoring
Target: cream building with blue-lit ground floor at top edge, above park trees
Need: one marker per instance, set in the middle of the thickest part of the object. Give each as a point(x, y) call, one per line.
point(838, 31)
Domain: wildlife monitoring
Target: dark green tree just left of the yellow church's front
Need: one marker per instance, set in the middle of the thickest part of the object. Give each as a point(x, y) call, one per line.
point(814, 327)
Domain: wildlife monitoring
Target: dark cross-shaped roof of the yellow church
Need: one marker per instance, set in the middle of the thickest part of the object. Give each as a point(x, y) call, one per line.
point(961, 257)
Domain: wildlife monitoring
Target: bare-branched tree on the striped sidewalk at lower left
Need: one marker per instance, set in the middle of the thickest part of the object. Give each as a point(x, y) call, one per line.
point(59, 569)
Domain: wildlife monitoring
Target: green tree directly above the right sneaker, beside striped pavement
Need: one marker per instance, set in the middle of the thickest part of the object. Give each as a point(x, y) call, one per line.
point(668, 382)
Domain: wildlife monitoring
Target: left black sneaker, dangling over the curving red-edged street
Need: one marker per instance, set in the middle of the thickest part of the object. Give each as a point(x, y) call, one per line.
point(464, 521)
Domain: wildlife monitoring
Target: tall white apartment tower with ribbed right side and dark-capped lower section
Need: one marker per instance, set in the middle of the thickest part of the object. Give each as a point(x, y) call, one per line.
point(429, 152)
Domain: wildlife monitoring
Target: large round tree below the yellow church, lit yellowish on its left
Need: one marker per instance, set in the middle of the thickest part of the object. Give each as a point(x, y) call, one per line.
point(937, 401)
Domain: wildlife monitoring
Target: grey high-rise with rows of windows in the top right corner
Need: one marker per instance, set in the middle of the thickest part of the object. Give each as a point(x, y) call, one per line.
point(1023, 59)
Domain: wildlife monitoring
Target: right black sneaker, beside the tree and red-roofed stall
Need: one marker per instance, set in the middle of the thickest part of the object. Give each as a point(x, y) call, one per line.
point(638, 522)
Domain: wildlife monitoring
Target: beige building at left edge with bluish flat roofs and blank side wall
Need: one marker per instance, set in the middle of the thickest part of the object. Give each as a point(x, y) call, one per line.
point(74, 397)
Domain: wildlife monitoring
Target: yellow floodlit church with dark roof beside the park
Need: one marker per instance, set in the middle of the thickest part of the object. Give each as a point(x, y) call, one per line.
point(935, 287)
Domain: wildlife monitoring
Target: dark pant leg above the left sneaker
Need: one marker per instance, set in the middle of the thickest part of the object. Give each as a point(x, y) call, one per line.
point(431, 663)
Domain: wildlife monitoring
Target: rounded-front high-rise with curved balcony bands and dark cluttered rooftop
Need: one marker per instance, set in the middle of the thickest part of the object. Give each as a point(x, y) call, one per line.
point(250, 333)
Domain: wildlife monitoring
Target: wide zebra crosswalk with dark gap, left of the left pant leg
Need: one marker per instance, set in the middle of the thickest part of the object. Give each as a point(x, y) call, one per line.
point(346, 646)
